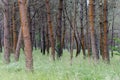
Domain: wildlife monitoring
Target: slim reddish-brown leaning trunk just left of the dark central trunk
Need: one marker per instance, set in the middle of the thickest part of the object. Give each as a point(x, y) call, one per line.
point(50, 29)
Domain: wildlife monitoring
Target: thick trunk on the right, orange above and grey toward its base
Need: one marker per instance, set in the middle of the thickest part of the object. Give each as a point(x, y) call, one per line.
point(92, 31)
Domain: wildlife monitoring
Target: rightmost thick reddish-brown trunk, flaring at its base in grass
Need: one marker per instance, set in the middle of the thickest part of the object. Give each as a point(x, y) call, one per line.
point(106, 52)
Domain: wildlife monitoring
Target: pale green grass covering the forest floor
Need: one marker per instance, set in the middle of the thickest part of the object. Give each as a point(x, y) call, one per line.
point(46, 69)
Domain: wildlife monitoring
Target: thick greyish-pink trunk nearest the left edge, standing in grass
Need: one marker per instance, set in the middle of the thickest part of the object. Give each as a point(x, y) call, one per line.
point(6, 33)
